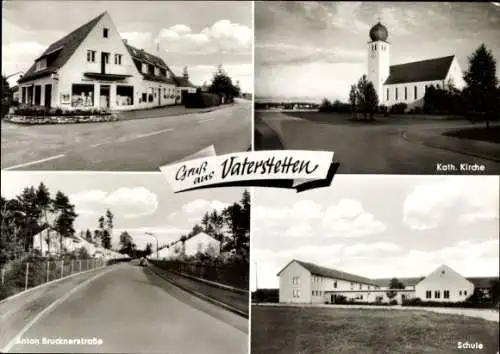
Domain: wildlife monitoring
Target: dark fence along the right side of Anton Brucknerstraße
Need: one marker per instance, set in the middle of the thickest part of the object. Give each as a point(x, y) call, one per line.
point(235, 275)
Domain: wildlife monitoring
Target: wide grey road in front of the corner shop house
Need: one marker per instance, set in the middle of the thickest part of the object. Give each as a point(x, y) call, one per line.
point(130, 145)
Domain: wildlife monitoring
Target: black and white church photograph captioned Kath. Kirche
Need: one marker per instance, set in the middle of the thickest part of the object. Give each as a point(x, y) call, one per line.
point(390, 87)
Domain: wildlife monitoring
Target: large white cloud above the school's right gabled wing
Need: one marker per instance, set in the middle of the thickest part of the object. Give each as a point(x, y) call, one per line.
point(431, 203)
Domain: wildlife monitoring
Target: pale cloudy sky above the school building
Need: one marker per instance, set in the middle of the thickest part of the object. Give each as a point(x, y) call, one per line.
point(379, 226)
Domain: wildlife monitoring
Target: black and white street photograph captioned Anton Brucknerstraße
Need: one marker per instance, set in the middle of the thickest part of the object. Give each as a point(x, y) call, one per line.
point(117, 263)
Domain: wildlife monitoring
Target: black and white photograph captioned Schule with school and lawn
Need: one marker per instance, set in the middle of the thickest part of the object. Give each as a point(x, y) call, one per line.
point(377, 264)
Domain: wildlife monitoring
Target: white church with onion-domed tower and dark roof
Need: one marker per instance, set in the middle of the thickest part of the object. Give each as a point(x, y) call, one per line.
point(407, 83)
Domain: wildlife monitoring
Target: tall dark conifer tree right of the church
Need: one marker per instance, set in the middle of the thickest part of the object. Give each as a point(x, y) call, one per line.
point(481, 91)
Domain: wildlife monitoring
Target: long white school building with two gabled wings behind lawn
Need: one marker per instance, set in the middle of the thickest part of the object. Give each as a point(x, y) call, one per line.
point(303, 282)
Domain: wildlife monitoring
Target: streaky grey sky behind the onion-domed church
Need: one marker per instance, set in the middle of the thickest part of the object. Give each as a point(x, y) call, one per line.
point(318, 49)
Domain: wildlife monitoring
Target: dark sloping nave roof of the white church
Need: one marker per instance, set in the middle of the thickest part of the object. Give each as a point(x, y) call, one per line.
point(418, 71)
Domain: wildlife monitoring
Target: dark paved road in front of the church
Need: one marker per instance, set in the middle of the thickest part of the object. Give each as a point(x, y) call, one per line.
point(371, 149)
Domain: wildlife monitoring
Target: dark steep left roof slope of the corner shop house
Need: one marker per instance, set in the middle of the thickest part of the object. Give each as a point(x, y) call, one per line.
point(63, 49)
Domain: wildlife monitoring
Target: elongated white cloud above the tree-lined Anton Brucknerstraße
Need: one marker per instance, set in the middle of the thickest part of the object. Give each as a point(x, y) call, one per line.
point(127, 202)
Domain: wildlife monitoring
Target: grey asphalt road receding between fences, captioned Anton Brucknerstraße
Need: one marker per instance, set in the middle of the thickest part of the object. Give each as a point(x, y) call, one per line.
point(133, 310)
